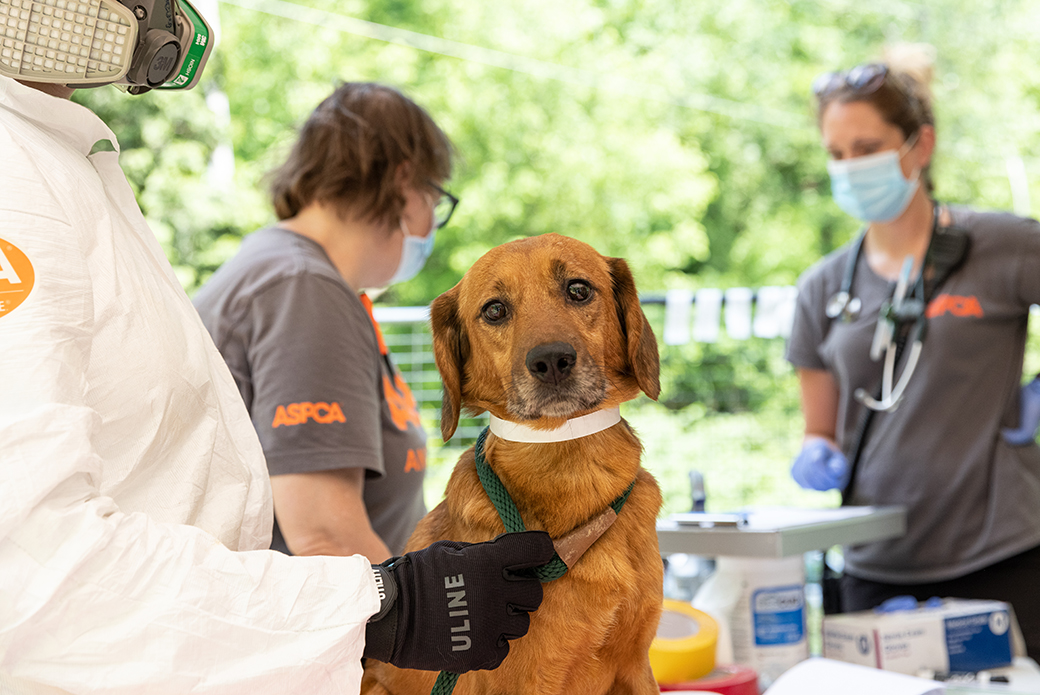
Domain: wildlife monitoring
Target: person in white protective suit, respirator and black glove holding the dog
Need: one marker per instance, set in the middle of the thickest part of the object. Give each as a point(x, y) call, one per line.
point(135, 499)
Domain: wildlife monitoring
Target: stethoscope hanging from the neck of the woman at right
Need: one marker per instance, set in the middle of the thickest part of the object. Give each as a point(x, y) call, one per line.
point(907, 304)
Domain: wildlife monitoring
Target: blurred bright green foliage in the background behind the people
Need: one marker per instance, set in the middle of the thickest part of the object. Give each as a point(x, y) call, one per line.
point(675, 134)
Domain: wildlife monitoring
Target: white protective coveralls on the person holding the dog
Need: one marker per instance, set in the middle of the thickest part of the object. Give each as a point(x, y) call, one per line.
point(135, 500)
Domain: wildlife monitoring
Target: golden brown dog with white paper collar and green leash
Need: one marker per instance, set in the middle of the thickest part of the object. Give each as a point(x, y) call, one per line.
point(539, 331)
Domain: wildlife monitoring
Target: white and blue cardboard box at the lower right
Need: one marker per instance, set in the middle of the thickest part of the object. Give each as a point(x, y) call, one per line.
point(957, 636)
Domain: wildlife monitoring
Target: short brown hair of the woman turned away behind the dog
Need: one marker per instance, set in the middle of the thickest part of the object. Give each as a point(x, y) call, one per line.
point(349, 152)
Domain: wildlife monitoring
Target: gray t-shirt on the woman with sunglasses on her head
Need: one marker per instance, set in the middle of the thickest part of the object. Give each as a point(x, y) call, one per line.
point(973, 500)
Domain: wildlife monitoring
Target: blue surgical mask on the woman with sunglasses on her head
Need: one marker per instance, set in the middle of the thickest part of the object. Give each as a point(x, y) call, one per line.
point(873, 188)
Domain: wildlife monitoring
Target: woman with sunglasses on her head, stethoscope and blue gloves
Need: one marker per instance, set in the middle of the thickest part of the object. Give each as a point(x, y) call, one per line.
point(924, 411)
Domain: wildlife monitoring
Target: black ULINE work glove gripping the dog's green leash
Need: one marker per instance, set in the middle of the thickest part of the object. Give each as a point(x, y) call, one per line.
point(453, 607)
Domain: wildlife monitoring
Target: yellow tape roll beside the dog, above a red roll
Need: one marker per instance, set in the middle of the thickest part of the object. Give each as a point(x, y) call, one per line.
point(685, 647)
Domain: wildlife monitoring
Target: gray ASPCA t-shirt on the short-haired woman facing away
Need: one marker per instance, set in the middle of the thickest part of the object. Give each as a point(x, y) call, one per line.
point(309, 364)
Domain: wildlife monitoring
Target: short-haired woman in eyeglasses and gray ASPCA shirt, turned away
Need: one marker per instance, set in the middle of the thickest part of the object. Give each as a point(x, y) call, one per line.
point(359, 202)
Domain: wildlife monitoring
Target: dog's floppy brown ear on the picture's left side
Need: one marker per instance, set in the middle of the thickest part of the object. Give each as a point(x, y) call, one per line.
point(451, 348)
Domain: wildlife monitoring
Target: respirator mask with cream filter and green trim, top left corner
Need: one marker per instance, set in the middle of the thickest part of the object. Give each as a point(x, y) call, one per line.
point(139, 45)
